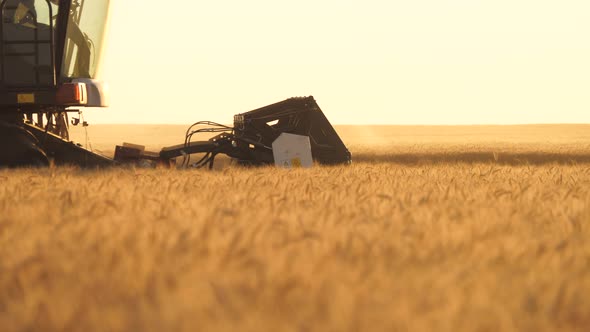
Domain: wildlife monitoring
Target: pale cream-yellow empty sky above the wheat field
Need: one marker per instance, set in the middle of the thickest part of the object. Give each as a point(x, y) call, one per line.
point(365, 62)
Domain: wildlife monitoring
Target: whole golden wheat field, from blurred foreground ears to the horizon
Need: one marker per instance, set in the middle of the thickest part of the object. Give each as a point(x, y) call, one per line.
point(430, 229)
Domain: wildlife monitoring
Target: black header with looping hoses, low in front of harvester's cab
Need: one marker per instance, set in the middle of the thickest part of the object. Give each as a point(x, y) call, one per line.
point(250, 140)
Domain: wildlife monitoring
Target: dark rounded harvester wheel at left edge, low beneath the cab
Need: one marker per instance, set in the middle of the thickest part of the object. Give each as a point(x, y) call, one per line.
point(19, 147)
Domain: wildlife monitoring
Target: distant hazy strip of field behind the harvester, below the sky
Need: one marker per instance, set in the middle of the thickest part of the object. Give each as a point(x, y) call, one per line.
point(401, 144)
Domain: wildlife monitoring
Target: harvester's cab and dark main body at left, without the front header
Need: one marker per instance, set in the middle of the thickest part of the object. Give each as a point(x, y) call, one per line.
point(49, 61)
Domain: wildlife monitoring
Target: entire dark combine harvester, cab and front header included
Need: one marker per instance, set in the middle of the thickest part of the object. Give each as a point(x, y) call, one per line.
point(50, 51)
